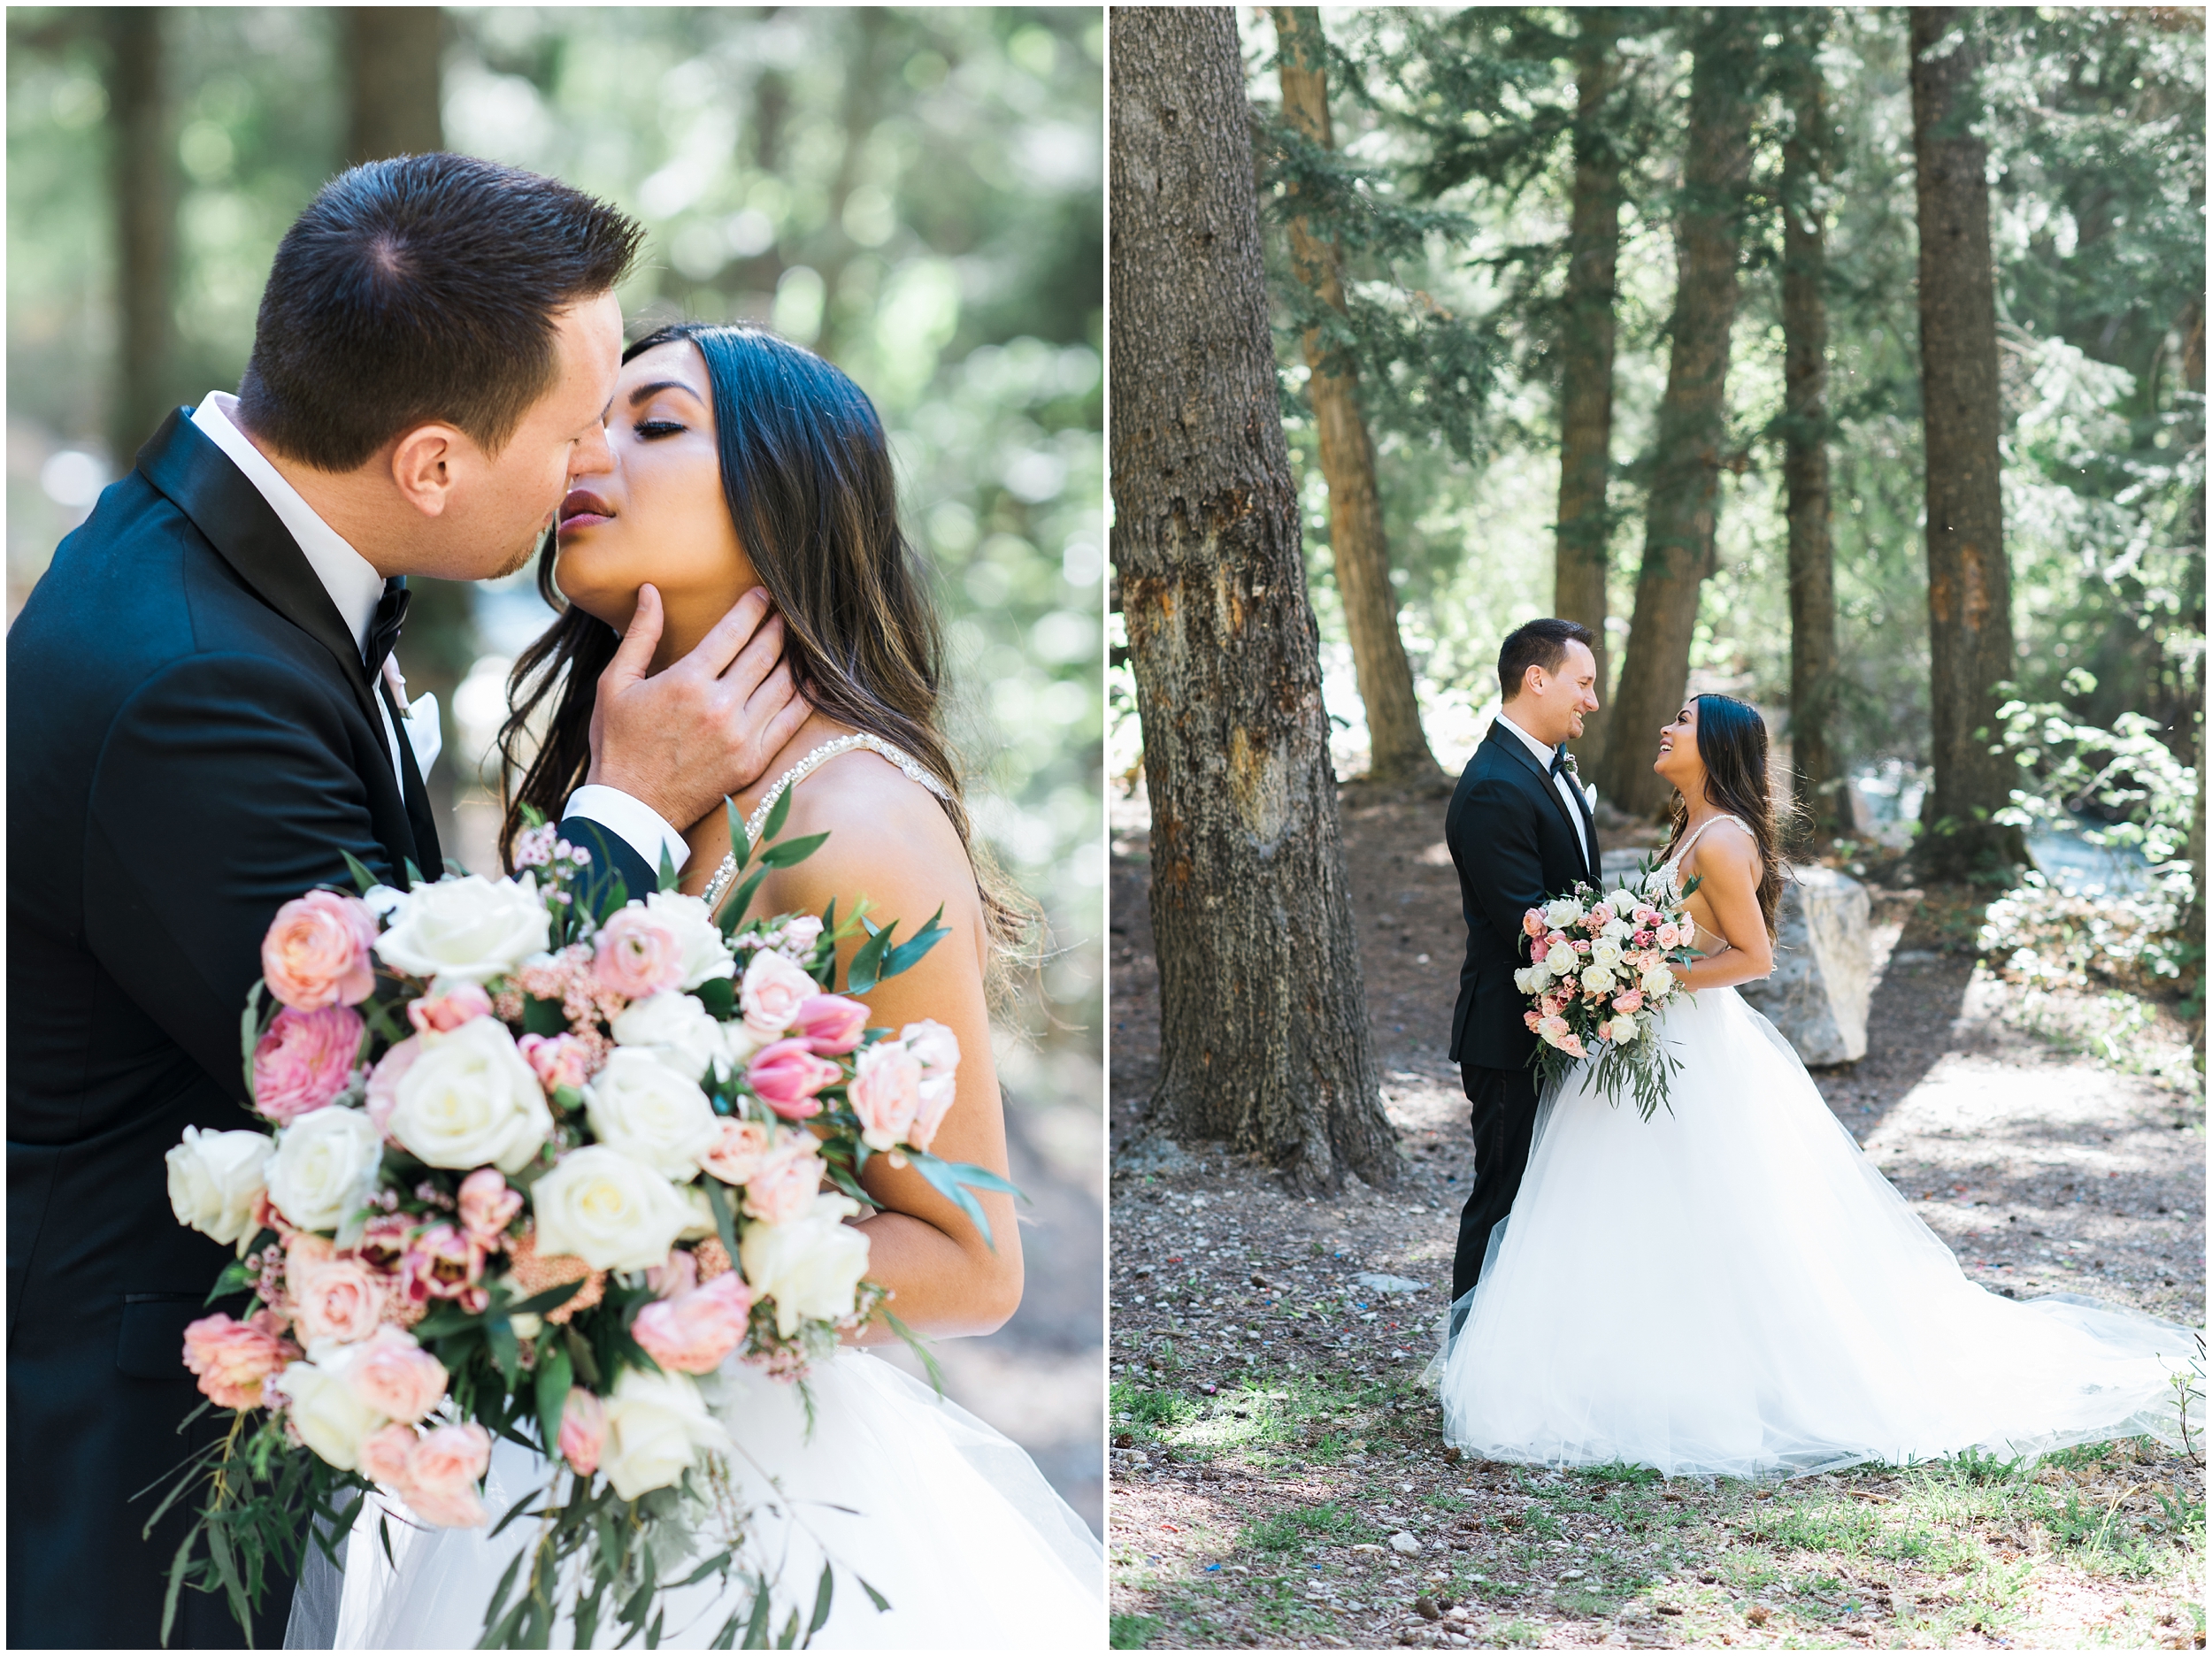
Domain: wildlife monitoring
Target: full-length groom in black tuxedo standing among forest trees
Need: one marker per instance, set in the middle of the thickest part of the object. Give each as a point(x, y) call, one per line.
point(1521, 832)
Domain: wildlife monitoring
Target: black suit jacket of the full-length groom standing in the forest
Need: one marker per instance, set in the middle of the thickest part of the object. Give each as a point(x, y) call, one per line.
point(1514, 843)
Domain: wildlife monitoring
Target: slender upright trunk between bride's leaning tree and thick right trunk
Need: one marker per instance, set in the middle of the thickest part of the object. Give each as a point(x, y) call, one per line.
point(1813, 563)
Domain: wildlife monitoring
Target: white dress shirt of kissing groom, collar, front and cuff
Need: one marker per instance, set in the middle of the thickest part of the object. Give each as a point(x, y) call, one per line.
point(355, 587)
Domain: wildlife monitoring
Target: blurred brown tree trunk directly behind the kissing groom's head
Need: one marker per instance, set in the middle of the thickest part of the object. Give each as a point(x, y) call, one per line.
point(395, 92)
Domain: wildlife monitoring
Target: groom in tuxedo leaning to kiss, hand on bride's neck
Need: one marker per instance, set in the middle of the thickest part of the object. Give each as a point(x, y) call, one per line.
point(200, 722)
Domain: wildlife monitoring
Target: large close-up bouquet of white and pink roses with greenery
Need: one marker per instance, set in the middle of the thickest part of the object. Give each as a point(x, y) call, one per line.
point(532, 1173)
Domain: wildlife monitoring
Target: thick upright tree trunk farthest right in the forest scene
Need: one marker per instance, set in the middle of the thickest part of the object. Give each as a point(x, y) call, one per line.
point(1970, 587)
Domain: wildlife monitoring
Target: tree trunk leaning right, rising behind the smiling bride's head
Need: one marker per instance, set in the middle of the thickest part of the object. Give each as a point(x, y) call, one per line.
point(1693, 417)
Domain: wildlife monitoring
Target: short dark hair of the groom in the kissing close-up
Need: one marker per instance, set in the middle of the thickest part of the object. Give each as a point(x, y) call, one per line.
point(421, 289)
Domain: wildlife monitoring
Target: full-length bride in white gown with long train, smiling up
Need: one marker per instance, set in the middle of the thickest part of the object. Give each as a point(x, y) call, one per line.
point(1733, 1288)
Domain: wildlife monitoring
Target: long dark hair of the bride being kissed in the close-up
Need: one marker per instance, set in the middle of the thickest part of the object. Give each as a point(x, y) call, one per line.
point(808, 479)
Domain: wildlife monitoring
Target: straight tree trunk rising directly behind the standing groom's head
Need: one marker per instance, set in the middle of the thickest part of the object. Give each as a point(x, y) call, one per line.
point(1594, 249)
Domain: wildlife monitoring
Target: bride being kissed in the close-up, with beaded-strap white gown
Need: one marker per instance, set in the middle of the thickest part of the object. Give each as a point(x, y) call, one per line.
point(742, 461)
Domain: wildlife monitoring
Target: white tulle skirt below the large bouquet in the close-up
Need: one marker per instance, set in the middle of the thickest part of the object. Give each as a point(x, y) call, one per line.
point(943, 1516)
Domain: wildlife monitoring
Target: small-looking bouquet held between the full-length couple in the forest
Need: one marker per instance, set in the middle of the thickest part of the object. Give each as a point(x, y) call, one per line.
point(1600, 981)
